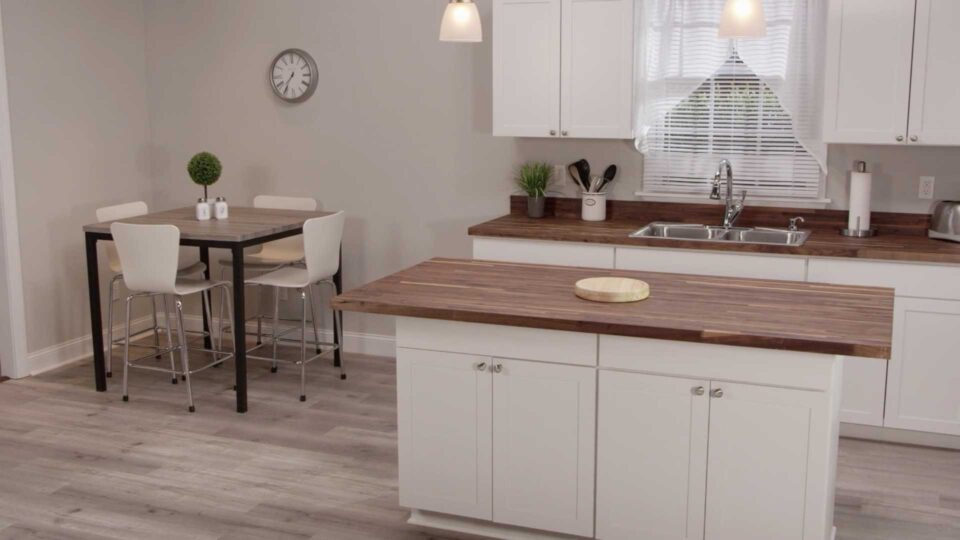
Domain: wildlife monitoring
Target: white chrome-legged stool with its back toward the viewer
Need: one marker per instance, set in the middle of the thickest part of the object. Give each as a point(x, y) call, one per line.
point(149, 255)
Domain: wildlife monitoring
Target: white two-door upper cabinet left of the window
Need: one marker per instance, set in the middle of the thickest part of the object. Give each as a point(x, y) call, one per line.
point(563, 68)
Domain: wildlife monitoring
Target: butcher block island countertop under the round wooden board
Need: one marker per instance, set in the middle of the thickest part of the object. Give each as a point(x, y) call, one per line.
point(828, 319)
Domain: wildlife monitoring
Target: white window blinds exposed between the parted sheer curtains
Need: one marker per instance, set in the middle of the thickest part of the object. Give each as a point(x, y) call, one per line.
point(731, 115)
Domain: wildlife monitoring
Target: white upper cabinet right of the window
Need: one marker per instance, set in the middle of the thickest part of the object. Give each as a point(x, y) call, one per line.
point(891, 72)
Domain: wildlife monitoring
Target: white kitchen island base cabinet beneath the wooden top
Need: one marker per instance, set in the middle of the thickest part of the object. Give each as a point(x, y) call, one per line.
point(656, 439)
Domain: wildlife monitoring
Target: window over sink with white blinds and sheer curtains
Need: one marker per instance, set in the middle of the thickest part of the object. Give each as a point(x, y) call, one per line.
point(755, 102)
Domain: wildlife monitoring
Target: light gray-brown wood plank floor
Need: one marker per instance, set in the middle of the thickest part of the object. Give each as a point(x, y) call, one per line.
point(78, 464)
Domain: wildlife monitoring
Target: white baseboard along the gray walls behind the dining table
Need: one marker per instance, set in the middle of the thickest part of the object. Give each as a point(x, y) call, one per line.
point(77, 349)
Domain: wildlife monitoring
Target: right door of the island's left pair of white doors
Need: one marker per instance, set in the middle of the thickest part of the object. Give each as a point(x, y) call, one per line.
point(543, 446)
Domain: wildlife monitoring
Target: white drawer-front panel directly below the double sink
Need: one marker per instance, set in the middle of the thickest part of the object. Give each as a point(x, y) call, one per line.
point(711, 263)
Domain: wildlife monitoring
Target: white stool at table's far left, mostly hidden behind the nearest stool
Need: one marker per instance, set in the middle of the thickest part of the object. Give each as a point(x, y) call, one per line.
point(114, 213)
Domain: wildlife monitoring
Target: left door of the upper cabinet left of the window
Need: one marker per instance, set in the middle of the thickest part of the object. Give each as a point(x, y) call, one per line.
point(526, 68)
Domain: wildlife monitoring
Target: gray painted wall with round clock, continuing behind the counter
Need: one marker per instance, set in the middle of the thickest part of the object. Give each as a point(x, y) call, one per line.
point(110, 98)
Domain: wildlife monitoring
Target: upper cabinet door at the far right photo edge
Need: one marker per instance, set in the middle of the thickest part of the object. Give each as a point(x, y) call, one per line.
point(934, 107)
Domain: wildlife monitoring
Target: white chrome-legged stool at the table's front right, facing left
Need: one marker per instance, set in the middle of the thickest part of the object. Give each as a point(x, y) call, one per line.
point(321, 246)
